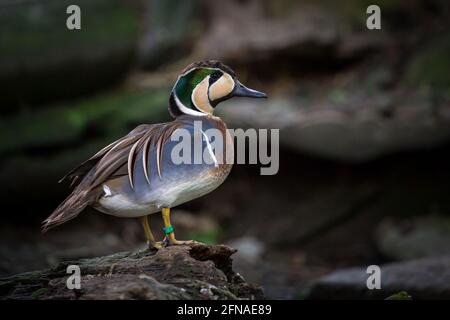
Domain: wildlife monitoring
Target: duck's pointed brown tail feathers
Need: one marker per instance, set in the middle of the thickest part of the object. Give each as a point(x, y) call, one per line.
point(67, 210)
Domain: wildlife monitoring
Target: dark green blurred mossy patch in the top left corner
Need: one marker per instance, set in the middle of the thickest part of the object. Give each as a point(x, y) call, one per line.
point(39, 28)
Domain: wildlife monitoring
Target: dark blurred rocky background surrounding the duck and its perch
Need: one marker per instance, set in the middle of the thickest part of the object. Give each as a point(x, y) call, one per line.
point(364, 119)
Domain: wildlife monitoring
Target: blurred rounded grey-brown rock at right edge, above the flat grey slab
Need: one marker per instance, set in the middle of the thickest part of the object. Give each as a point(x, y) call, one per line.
point(414, 238)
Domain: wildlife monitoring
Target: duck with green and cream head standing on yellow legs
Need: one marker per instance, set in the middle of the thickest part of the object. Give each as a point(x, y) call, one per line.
point(136, 175)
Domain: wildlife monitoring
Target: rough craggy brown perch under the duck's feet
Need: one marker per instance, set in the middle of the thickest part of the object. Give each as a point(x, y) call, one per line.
point(178, 272)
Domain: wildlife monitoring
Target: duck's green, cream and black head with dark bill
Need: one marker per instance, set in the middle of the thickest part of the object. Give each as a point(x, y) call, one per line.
point(202, 85)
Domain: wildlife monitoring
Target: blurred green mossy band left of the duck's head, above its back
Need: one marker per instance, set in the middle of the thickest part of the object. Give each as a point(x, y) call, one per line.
point(110, 114)
